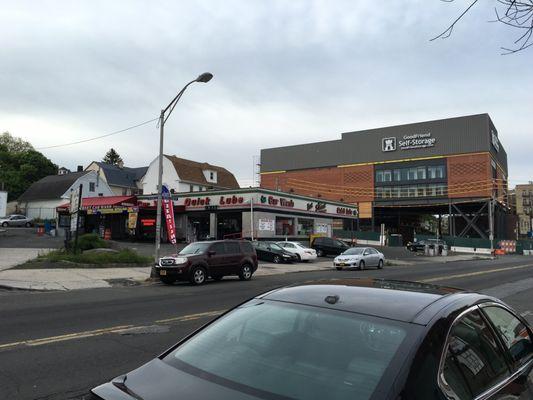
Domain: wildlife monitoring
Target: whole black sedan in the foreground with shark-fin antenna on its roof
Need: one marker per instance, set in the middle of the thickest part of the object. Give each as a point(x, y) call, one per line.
point(346, 339)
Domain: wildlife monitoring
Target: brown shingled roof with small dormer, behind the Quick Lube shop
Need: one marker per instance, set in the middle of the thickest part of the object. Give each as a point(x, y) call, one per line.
point(192, 171)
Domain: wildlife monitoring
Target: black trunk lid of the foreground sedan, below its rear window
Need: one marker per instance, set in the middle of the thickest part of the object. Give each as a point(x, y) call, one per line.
point(157, 380)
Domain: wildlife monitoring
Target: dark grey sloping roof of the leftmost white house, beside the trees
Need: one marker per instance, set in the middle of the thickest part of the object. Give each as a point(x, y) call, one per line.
point(51, 187)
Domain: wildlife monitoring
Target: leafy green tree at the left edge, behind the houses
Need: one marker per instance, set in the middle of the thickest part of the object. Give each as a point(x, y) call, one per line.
point(21, 165)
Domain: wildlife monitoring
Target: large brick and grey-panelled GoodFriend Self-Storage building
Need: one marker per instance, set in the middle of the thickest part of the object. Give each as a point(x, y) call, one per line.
point(454, 168)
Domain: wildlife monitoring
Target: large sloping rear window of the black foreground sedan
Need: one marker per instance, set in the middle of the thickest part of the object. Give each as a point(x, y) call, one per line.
point(286, 351)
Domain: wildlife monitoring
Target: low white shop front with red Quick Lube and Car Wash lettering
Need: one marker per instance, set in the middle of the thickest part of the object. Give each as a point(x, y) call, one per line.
point(252, 213)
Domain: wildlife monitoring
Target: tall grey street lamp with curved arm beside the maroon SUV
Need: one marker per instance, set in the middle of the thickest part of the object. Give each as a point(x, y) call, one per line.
point(165, 113)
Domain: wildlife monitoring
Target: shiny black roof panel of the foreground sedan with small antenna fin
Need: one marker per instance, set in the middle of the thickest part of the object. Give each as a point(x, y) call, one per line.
point(391, 299)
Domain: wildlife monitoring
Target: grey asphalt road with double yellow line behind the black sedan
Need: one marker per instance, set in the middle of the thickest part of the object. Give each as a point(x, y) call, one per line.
point(57, 345)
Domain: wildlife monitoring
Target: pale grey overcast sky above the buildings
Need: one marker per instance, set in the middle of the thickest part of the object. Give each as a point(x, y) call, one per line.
point(285, 72)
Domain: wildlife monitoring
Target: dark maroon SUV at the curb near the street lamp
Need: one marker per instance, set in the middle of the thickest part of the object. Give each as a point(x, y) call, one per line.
point(215, 259)
